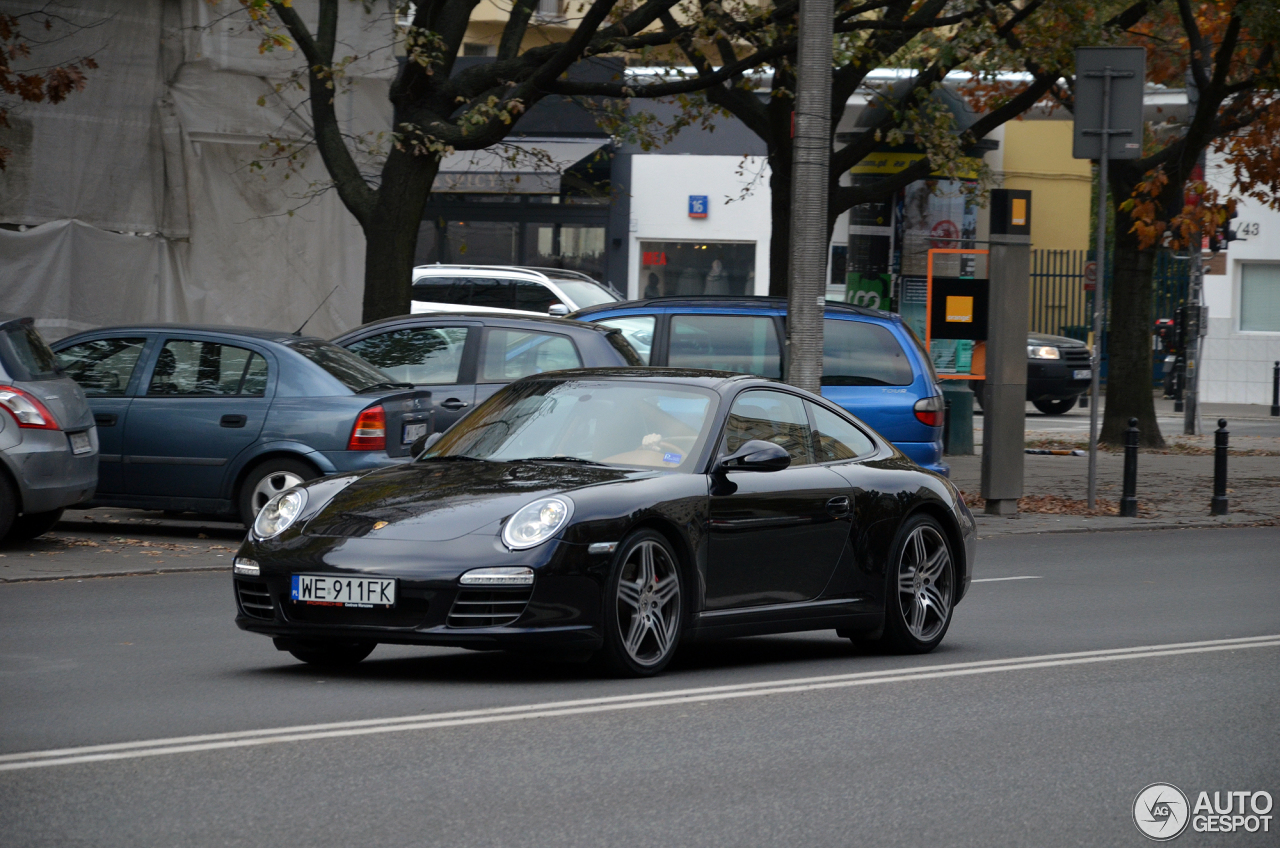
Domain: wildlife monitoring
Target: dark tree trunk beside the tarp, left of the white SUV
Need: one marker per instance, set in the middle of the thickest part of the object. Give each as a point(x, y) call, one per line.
point(391, 234)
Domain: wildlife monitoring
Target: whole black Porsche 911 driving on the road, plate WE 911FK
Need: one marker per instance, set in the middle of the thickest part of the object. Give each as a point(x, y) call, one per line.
point(616, 513)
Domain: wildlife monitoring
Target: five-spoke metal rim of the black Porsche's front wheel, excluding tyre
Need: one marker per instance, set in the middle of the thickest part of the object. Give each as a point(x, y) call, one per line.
point(648, 604)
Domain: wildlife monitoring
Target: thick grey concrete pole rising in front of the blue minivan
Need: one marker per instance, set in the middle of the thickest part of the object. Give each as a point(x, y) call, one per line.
point(807, 290)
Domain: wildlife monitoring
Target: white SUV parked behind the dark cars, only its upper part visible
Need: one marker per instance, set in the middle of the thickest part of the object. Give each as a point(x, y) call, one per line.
point(548, 291)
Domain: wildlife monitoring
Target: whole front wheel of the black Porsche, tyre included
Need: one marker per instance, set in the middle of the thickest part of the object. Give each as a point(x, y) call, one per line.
point(644, 608)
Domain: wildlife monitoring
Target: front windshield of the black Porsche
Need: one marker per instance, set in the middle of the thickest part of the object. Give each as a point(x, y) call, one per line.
point(636, 425)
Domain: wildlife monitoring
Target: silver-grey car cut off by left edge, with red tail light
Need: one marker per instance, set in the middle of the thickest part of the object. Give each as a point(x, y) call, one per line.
point(48, 440)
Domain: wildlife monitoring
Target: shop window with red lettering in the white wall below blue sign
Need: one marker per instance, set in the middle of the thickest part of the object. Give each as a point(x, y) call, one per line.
point(697, 268)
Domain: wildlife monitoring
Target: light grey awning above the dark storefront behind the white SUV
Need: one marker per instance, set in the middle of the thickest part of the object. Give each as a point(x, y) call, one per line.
point(525, 167)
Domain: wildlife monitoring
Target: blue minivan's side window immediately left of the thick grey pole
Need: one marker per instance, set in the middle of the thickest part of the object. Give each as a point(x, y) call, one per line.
point(743, 344)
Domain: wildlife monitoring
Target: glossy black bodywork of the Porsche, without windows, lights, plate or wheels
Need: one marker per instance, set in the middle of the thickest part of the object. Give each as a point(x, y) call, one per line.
point(445, 518)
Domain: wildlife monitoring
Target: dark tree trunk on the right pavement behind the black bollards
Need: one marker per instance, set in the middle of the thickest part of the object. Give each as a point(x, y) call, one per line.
point(1130, 391)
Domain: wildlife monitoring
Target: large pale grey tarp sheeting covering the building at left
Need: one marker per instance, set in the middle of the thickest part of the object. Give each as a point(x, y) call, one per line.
point(139, 199)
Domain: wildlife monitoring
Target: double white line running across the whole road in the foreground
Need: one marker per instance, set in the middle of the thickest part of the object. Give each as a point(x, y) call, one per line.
point(367, 727)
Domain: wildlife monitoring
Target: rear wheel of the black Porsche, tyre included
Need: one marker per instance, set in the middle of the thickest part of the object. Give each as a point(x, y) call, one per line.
point(922, 587)
